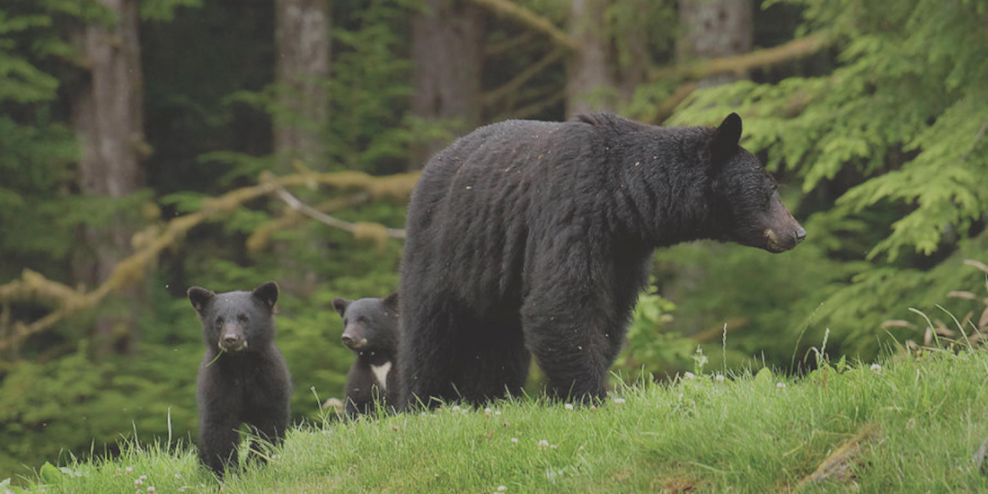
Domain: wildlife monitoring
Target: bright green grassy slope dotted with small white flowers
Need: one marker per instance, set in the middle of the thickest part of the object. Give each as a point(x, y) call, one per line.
point(918, 419)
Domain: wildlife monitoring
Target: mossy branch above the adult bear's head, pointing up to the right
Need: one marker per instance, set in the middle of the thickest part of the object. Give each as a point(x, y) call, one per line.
point(742, 63)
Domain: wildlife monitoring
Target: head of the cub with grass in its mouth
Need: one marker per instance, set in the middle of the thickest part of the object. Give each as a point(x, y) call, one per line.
point(236, 321)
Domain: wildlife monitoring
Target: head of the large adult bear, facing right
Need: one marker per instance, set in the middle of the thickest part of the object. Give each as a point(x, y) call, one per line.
point(746, 206)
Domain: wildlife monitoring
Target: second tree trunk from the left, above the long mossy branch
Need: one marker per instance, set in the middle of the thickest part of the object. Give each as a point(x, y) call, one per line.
point(303, 50)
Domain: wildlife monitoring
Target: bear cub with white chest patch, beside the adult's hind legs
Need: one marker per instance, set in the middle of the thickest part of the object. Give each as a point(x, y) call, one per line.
point(370, 329)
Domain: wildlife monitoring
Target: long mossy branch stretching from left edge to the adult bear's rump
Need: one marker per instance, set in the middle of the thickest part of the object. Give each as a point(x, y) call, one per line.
point(130, 270)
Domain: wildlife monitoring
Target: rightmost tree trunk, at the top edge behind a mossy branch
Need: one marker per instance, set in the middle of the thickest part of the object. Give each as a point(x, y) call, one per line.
point(715, 29)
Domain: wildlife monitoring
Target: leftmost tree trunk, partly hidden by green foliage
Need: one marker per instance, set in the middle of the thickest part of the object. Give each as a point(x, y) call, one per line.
point(108, 120)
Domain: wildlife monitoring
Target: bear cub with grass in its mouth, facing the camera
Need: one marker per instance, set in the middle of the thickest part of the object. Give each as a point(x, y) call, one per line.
point(243, 377)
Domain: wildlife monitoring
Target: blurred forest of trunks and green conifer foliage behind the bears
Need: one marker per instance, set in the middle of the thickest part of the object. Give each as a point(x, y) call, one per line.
point(147, 146)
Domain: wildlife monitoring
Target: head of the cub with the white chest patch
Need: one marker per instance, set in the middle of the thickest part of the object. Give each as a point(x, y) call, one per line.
point(369, 324)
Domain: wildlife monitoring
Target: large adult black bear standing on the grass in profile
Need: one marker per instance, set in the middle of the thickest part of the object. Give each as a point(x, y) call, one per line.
point(530, 237)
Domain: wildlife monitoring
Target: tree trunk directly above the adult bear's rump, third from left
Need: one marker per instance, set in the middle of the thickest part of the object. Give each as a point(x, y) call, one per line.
point(448, 53)
